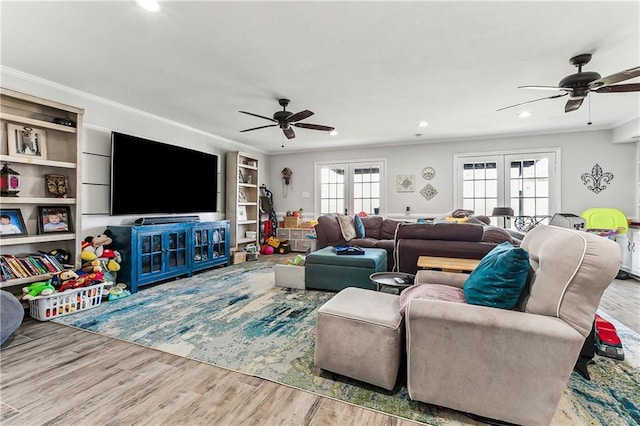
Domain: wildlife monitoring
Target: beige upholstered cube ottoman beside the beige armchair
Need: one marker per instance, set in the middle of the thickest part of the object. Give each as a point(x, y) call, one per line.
point(360, 334)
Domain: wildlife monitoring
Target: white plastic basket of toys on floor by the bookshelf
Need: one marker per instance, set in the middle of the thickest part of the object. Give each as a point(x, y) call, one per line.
point(45, 308)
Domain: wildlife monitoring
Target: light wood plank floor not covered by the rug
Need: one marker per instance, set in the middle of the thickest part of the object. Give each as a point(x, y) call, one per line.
point(52, 374)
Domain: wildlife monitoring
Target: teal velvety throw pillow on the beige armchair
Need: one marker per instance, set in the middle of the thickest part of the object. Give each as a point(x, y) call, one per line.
point(499, 278)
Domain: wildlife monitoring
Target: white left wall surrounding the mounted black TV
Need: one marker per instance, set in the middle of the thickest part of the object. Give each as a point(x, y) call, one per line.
point(101, 117)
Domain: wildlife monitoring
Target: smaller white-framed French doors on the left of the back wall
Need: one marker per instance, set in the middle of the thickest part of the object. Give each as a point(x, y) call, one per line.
point(350, 187)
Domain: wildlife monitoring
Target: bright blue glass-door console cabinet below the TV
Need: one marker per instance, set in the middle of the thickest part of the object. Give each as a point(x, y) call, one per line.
point(152, 253)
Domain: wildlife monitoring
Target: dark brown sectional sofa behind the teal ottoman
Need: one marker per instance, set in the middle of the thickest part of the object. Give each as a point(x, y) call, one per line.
point(406, 241)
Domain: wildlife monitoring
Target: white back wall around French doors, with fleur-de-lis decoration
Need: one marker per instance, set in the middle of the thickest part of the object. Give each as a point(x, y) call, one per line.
point(579, 153)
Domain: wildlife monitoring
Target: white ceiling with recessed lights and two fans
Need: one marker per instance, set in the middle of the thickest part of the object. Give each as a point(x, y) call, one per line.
point(373, 70)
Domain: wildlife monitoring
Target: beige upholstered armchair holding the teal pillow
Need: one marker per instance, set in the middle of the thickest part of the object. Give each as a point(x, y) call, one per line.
point(511, 365)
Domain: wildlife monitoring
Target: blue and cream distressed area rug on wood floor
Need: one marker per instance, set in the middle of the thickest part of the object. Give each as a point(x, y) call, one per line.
point(236, 318)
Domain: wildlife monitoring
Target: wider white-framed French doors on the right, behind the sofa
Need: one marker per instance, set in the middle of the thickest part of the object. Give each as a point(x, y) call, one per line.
point(526, 181)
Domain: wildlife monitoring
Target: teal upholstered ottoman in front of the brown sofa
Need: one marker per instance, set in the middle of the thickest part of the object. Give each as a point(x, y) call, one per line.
point(325, 270)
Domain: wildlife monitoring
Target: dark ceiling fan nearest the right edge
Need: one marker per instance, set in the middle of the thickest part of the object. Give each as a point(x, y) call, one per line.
point(578, 85)
